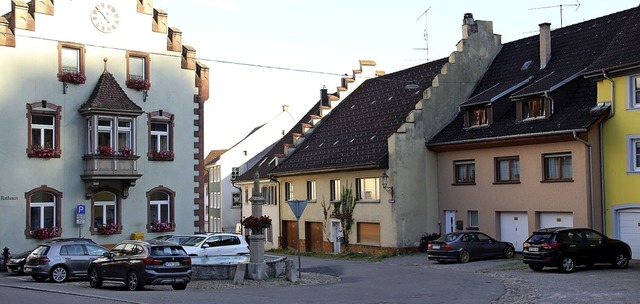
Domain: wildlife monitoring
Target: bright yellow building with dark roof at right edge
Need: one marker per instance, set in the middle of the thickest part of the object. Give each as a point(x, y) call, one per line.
point(617, 73)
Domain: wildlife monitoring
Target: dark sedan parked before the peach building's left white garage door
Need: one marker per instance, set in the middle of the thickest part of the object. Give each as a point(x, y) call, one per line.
point(467, 245)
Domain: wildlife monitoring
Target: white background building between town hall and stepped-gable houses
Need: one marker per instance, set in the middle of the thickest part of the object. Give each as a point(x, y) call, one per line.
point(224, 197)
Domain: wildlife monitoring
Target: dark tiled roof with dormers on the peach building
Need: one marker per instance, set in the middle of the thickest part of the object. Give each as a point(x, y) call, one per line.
point(573, 49)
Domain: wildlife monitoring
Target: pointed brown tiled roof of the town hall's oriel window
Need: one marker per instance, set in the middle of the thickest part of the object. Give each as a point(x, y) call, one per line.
point(108, 96)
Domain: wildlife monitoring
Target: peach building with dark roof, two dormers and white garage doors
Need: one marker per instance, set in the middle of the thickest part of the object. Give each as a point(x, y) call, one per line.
point(524, 151)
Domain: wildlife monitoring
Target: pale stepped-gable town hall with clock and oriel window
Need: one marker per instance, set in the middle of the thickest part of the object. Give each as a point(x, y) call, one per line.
point(102, 118)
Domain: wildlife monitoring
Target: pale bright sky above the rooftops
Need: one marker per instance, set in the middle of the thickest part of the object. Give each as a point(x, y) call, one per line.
point(263, 54)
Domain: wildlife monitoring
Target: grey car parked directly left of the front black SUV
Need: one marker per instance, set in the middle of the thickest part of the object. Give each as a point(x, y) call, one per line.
point(62, 258)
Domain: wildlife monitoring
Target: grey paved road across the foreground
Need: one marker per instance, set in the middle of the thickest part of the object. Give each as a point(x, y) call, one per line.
point(403, 279)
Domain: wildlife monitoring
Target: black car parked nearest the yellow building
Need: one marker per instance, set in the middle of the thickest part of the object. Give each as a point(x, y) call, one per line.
point(566, 248)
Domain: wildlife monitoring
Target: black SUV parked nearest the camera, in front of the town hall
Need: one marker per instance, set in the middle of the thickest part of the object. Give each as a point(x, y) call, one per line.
point(139, 263)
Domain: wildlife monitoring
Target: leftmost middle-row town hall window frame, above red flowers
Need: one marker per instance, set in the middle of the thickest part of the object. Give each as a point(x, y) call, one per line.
point(46, 109)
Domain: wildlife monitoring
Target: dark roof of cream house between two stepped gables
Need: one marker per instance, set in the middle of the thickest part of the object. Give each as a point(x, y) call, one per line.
point(354, 135)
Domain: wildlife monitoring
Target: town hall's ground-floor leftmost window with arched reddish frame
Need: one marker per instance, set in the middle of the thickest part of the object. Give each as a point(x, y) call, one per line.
point(43, 210)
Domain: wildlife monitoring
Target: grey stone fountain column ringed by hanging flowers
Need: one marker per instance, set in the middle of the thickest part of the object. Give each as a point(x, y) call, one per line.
point(257, 268)
